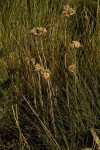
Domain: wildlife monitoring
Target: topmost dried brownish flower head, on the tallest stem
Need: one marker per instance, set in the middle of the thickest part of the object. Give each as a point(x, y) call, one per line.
point(68, 11)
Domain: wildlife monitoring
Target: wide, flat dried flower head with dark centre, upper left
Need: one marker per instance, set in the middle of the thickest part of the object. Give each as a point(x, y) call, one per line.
point(39, 31)
